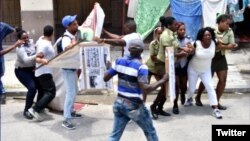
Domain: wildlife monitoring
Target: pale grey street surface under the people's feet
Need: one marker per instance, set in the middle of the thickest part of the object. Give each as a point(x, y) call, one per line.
point(193, 123)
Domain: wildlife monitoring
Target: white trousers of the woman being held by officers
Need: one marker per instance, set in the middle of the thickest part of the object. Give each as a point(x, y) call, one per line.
point(206, 78)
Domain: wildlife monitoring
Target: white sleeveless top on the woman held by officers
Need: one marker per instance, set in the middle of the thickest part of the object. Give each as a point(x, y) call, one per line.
point(202, 58)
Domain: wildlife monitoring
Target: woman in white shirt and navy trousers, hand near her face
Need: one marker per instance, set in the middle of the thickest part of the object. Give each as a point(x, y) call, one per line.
point(24, 70)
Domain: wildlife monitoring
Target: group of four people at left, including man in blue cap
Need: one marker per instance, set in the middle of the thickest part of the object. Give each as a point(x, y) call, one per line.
point(32, 55)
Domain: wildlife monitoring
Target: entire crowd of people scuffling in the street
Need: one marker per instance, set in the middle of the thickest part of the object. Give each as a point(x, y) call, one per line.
point(194, 59)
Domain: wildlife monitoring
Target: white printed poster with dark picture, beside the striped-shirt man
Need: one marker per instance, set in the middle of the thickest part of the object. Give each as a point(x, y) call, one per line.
point(94, 60)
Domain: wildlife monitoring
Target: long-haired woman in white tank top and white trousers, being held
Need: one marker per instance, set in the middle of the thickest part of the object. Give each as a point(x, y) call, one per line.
point(200, 67)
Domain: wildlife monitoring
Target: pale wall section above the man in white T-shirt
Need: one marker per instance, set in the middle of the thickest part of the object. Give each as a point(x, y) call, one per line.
point(35, 14)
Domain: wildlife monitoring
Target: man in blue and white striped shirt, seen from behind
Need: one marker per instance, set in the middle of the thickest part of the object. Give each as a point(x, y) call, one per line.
point(132, 84)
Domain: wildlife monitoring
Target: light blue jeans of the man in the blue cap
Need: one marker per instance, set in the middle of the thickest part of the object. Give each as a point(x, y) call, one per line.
point(70, 81)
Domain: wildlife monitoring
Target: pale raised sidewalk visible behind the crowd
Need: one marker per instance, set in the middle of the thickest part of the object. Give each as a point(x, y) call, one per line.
point(237, 82)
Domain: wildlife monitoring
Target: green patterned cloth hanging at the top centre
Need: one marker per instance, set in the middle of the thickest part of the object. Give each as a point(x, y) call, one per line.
point(148, 14)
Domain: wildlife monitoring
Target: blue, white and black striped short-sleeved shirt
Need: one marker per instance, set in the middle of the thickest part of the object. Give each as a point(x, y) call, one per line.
point(130, 72)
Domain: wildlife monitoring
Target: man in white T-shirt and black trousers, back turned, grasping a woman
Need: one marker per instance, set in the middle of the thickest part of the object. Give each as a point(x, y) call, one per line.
point(44, 73)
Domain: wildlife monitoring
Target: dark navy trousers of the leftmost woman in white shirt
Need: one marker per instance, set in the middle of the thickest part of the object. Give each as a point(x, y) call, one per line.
point(27, 77)
